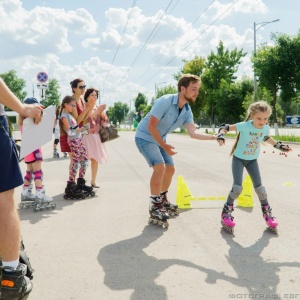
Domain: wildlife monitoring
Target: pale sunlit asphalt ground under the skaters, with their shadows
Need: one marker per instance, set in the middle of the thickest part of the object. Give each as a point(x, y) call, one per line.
point(103, 247)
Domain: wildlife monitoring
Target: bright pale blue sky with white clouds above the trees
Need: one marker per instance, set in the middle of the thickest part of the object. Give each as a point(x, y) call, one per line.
point(124, 47)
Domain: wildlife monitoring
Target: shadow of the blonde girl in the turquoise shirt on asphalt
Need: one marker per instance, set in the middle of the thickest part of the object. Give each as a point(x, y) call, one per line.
point(253, 272)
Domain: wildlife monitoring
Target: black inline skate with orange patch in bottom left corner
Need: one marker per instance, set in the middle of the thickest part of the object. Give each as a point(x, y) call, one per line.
point(14, 283)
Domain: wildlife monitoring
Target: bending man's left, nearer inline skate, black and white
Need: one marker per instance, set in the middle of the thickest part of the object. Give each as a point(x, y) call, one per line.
point(158, 215)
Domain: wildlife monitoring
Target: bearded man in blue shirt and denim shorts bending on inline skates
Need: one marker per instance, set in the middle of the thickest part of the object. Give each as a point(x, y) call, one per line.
point(168, 113)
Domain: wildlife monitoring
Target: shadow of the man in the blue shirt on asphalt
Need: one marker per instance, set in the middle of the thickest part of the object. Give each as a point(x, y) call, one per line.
point(127, 266)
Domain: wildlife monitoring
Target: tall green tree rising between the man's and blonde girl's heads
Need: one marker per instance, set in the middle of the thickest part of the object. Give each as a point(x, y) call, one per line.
point(219, 66)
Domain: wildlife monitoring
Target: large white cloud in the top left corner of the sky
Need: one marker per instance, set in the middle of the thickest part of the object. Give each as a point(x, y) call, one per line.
point(41, 30)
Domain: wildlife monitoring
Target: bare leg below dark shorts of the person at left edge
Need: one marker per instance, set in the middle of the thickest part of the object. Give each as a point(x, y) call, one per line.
point(9, 227)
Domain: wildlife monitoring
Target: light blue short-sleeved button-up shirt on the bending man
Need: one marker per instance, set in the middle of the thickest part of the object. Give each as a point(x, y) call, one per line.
point(166, 110)
